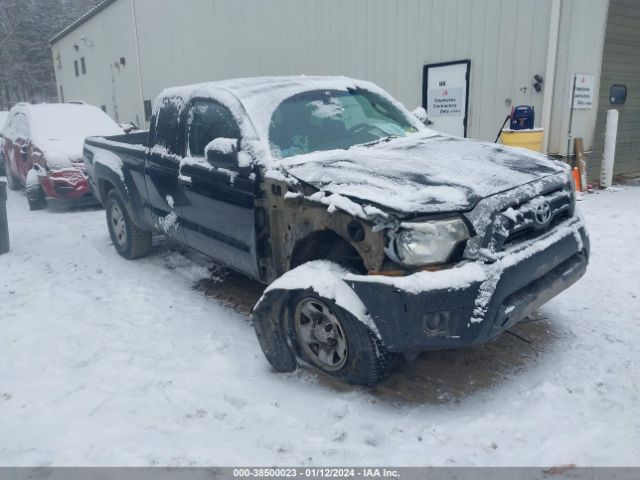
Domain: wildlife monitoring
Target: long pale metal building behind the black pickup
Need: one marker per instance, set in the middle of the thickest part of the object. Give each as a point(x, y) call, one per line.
point(488, 55)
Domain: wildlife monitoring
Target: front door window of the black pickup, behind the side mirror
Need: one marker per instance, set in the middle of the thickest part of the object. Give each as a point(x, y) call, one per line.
point(209, 120)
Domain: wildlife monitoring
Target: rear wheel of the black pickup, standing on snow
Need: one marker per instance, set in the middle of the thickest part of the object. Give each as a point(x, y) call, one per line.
point(129, 240)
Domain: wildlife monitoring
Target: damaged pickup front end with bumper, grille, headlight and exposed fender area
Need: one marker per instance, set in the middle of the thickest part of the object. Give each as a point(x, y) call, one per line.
point(454, 280)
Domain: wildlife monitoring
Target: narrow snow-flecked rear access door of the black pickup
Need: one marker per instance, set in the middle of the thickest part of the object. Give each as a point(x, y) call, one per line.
point(161, 169)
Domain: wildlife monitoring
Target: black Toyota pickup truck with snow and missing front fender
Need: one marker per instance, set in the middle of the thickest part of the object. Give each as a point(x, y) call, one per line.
point(376, 235)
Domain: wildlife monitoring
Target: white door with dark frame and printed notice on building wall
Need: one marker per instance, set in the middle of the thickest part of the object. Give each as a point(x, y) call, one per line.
point(445, 96)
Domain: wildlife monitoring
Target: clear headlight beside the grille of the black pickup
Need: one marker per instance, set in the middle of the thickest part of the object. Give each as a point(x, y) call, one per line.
point(424, 243)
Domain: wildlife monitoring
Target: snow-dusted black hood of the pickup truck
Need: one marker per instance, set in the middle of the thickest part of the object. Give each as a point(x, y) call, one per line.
point(421, 173)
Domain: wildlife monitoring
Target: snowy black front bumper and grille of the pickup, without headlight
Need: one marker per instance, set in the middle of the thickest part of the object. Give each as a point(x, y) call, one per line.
point(525, 247)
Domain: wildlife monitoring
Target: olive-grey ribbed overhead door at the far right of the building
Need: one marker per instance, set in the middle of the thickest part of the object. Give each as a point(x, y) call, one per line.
point(620, 65)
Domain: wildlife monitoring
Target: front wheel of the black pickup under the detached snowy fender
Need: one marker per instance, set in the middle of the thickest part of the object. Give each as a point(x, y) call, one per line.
point(362, 359)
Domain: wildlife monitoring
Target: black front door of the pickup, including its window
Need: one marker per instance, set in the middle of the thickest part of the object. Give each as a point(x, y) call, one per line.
point(219, 209)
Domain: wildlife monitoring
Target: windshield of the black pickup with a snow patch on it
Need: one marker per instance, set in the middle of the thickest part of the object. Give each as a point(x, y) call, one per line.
point(332, 119)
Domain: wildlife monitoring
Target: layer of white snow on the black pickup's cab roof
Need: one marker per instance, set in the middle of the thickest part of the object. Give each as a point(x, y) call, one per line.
point(258, 97)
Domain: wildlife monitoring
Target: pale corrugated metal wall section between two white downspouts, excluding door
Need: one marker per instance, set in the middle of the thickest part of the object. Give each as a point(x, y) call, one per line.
point(386, 41)
